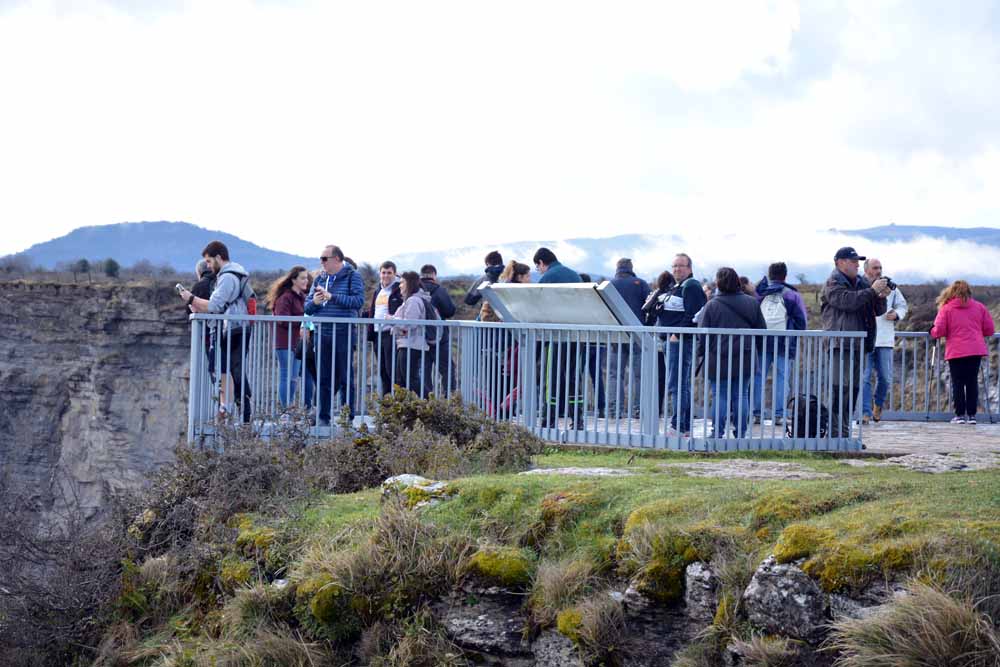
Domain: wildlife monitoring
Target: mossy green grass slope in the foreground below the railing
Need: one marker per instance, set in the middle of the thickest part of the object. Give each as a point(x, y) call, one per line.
point(365, 567)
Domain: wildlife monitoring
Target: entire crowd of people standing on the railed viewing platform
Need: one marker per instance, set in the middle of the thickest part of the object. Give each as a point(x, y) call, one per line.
point(418, 357)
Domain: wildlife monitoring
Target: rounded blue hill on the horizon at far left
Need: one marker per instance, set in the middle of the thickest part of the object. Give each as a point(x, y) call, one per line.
point(173, 243)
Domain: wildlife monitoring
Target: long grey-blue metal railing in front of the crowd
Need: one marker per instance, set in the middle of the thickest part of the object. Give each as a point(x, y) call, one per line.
point(646, 387)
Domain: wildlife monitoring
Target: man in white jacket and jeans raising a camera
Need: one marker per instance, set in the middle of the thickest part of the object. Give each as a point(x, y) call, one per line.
point(885, 339)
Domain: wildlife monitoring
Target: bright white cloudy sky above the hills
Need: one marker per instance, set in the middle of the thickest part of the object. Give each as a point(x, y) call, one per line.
point(390, 127)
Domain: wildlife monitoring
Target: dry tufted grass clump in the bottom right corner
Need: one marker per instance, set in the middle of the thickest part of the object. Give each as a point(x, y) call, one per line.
point(926, 627)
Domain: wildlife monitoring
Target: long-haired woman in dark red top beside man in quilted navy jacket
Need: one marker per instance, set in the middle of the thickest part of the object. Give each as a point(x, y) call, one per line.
point(286, 297)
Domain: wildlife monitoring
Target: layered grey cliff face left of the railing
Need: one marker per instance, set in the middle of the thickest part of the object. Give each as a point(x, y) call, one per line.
point(93, 388)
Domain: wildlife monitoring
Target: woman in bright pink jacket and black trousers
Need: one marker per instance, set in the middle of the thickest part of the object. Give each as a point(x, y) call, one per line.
point(964, 322)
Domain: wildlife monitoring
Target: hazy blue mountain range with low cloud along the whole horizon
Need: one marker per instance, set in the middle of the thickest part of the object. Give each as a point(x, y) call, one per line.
point(918, 252)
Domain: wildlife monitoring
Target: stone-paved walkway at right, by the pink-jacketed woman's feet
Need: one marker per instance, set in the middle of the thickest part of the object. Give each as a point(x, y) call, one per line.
point(930, 438)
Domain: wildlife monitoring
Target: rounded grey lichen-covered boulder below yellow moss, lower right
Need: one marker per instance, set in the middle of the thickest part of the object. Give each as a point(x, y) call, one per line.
point(784, 600)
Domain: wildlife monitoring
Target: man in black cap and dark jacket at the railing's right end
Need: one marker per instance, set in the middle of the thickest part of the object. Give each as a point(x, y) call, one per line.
point(849, 303)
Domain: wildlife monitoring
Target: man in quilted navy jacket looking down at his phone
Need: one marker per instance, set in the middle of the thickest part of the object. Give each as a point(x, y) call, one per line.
point(338, 291)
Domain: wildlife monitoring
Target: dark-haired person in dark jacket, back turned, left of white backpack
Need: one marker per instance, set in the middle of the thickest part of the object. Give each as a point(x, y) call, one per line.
point(733, 308)
